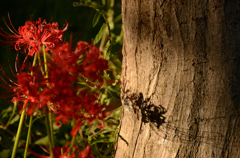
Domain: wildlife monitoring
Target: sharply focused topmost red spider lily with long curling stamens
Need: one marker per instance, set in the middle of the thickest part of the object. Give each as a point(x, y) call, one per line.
point(33, 35)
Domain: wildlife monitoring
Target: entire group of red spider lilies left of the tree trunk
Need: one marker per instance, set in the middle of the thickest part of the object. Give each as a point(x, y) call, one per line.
point(63, 84)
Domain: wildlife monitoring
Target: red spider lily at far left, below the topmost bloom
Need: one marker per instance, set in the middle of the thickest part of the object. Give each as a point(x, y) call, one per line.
point(25, 89)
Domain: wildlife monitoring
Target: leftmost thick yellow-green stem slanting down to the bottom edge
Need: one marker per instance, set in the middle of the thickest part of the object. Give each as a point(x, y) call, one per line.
point(18, 132)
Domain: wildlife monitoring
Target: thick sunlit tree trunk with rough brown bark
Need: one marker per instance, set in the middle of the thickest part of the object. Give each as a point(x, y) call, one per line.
point(180, 79)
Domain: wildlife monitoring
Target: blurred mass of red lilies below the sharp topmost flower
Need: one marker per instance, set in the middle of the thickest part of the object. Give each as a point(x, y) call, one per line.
point(61, 90)
